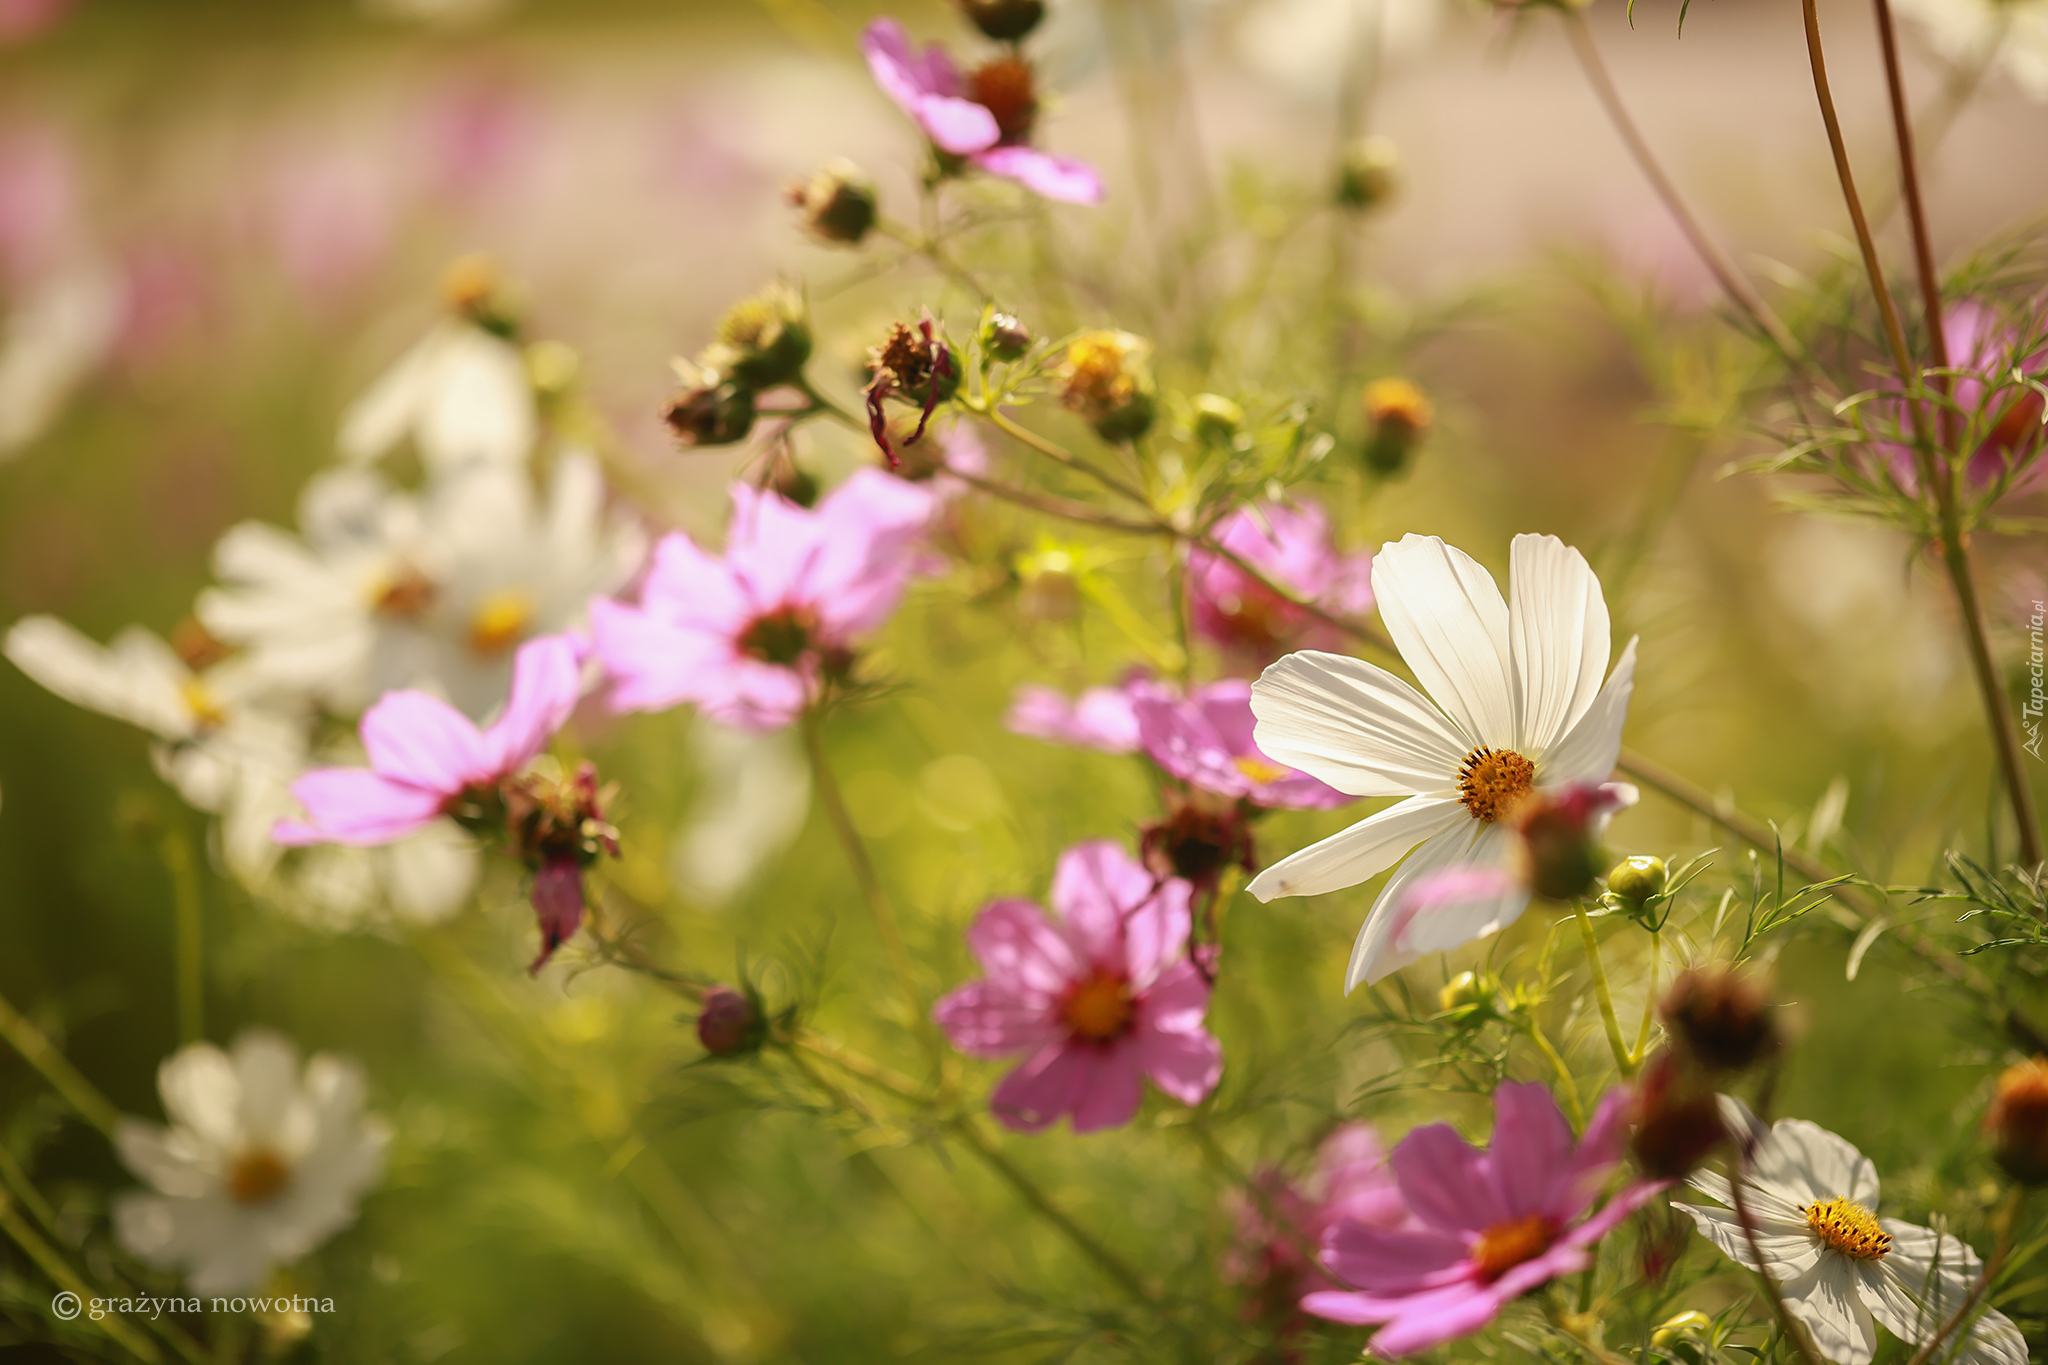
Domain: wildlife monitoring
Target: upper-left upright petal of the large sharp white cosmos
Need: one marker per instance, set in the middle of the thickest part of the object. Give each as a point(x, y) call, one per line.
point(1451, 625)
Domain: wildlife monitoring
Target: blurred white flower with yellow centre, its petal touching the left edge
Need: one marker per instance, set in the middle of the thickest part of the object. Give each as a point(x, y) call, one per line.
point(226, 740)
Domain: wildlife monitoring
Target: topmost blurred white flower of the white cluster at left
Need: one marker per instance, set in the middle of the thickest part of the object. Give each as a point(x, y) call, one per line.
point(462, 394)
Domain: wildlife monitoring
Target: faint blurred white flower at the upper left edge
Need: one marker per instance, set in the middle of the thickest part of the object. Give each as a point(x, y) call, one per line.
point(56, 337)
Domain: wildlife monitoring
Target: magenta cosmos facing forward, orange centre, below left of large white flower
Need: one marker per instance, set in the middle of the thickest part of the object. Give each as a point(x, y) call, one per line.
point(1097, 1000)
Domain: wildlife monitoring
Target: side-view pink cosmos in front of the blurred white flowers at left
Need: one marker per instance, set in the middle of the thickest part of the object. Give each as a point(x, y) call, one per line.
point(427, 756)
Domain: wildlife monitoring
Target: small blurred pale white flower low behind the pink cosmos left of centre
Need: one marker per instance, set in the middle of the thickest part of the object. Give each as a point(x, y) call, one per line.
point(755, 799)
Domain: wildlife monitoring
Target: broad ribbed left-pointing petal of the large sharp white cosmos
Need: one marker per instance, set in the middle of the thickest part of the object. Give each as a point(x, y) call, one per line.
point(1357, 728)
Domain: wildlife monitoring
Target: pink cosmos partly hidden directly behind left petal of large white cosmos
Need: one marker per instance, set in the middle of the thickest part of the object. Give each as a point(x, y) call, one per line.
point(1207, 742)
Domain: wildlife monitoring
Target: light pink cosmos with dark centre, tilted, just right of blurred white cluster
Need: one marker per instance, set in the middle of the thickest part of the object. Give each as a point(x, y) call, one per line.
point(751, 635)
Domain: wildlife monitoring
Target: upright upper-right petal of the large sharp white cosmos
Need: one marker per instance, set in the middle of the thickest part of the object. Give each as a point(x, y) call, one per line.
point(1558, 640)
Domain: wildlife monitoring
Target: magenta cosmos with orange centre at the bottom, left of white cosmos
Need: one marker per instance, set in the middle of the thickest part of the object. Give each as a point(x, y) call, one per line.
point(1488, 1227)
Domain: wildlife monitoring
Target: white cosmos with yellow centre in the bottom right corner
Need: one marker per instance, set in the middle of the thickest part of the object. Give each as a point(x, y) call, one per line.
point(1814, 1200)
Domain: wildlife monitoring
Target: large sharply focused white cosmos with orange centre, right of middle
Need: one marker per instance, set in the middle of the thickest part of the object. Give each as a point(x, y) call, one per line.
point(1514, 705)
